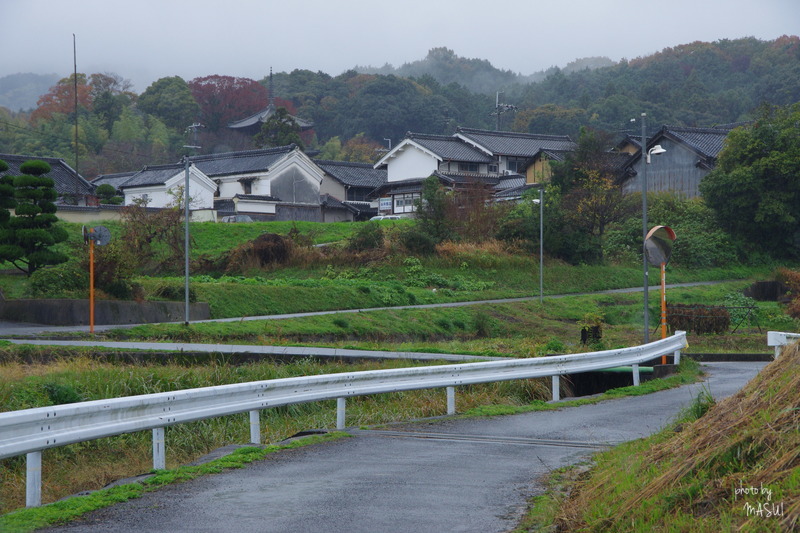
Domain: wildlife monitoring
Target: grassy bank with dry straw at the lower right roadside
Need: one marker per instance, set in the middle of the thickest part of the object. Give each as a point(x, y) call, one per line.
point(733, 466)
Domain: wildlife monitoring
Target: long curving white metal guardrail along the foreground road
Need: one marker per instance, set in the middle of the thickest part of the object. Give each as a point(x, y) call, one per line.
point(32, 430)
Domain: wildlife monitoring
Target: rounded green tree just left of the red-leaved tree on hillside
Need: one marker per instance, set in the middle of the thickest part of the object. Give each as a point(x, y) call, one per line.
point(171, 100)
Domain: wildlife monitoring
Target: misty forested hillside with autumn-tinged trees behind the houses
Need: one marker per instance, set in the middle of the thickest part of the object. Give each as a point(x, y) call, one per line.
point(356, 114)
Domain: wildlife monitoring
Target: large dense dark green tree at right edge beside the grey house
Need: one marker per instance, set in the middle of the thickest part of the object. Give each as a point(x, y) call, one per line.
point(755, 190)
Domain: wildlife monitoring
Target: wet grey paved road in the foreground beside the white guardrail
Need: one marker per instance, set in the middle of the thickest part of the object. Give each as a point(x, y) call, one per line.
point(441, 475)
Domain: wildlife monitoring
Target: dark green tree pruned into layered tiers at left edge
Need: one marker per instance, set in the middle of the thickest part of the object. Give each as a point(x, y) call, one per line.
point(26, 238)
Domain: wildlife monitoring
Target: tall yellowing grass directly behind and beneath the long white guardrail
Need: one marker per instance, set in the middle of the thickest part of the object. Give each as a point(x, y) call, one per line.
point(80, 377)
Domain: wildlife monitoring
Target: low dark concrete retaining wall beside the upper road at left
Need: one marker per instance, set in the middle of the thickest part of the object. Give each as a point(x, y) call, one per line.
point(76, 312)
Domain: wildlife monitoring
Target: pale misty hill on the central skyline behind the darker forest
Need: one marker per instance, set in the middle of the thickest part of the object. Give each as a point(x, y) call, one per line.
point(477, 75)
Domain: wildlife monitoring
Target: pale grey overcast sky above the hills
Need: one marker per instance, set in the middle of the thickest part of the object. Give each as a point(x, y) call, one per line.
point(144, 40)
